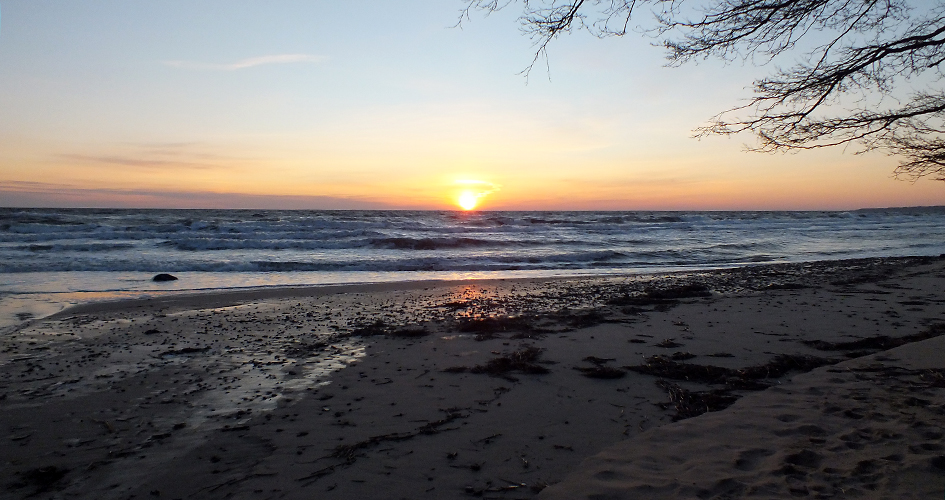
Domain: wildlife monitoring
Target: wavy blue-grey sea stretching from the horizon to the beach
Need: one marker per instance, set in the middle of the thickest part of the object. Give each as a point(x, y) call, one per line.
point(53, 258)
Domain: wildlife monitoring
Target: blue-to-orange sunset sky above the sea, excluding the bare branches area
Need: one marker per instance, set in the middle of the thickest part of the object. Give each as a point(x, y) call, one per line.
point(311, 104)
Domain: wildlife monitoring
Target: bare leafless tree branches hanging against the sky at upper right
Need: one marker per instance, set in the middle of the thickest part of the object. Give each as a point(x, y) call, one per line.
point(870, 72)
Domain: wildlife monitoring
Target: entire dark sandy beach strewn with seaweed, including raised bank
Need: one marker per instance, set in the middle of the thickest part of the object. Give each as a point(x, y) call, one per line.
point(482, 389)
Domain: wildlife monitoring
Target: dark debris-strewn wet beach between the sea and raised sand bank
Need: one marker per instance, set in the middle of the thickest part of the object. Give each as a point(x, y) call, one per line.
point(496, 389)
